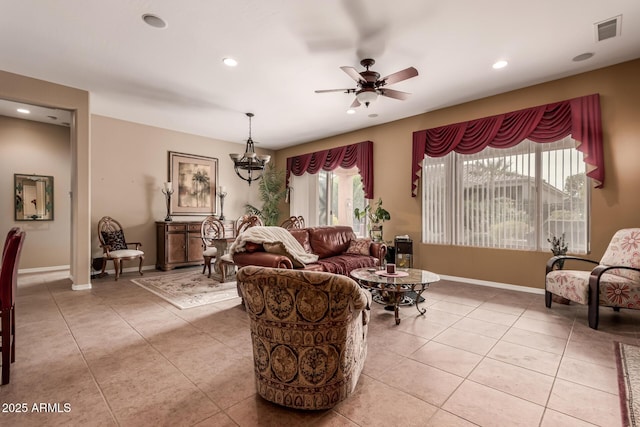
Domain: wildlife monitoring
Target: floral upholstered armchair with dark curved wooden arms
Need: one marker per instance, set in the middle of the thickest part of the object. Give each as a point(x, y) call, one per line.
point(613, 282)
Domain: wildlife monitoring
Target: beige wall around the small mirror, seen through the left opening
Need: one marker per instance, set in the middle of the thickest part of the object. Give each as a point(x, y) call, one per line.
point(28, 147)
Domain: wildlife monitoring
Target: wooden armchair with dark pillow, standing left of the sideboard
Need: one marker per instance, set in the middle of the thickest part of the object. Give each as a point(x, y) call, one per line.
point(115, 246)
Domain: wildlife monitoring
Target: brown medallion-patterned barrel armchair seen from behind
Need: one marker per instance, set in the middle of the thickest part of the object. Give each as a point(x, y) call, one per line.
point(309, 334)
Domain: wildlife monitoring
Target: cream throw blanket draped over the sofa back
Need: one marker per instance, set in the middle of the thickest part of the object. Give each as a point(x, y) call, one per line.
point(275, 240)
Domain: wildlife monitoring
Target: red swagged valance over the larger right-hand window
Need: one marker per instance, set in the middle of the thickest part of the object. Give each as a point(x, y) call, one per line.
point(579, 117)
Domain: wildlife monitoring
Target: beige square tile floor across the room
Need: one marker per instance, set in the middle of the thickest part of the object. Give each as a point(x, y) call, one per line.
point(119, 355)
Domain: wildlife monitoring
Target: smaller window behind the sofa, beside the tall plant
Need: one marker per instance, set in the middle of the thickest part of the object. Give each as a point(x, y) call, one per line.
point(329, 198)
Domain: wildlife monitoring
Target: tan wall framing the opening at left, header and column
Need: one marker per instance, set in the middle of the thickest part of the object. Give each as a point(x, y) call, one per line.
point(38, 92)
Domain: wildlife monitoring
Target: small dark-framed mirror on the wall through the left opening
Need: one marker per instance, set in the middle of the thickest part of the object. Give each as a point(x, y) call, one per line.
point(34, 197)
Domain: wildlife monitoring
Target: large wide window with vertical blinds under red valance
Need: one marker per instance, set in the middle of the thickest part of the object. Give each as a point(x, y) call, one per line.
point(512, 198)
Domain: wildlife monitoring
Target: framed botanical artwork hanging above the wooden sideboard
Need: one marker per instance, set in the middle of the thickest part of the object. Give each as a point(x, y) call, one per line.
point(195, 179)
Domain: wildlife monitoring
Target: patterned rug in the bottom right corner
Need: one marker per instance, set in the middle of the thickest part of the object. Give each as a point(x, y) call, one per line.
point(628, 361)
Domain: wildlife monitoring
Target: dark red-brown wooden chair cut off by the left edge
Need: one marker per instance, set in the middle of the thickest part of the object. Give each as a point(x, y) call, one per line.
point(8, 288)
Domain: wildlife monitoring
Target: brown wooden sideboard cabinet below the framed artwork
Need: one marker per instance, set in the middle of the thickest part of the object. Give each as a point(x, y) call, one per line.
point(178, 244)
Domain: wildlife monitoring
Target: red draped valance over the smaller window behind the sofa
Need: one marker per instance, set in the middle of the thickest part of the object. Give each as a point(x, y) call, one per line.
point(348, 156)
